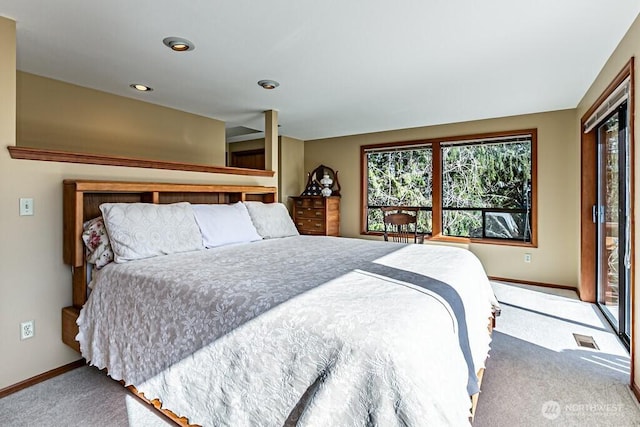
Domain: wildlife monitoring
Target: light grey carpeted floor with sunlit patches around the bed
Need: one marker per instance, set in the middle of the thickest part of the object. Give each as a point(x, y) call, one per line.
point(536, 375)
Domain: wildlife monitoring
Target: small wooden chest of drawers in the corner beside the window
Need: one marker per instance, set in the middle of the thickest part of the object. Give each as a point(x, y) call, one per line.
point(317, 215)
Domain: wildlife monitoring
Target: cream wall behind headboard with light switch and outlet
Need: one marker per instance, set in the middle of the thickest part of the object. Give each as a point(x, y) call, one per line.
point(34, 282)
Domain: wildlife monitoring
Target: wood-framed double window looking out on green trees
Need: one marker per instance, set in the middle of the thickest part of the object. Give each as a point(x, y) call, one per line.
point(482, 187)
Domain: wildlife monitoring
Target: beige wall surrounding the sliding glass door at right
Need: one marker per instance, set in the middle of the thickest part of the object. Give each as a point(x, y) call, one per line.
point(628, 47)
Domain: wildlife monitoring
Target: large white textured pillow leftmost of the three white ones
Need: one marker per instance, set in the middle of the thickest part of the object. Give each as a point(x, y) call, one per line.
point(145, 230)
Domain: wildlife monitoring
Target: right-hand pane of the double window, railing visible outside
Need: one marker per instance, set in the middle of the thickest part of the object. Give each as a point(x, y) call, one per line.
point(486, 189)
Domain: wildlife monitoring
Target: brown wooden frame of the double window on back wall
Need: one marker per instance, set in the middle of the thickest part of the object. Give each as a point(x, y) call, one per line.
point(436, 180)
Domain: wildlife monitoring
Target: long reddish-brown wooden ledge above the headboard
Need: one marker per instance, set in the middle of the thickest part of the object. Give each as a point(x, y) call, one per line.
point(27, 153)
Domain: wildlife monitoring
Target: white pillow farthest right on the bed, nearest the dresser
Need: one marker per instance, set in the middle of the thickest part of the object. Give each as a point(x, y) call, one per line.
point(272, 220)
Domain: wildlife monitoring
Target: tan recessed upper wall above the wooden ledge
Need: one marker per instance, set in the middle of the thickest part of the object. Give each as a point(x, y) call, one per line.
point(61, 116)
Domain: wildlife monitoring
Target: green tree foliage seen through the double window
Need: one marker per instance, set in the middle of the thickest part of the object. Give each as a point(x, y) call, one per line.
point(490, 175)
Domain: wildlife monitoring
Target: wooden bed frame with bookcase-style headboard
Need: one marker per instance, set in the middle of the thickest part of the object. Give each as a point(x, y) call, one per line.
point(81, 202)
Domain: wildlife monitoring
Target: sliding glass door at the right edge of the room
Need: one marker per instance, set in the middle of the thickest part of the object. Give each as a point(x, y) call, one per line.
point(612, 217)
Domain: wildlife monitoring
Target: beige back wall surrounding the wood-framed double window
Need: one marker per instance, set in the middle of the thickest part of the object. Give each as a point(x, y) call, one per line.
point(556, 258)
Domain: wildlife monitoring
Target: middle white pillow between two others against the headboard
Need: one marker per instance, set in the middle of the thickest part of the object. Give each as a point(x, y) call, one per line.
point(225, 224)
